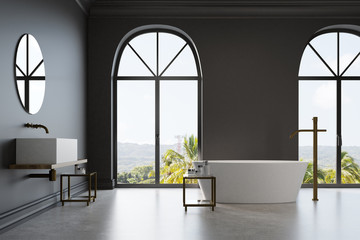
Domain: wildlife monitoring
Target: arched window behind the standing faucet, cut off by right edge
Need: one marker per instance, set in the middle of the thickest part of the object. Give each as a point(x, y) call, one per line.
point(329, 86)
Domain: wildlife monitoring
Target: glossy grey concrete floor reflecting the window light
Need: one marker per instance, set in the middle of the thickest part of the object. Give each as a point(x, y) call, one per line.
point(158, 214)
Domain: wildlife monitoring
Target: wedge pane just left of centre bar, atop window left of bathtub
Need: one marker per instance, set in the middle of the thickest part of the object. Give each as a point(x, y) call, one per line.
point(145, 46)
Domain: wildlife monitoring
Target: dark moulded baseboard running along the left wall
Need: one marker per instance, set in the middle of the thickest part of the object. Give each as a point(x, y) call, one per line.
point(23, 213)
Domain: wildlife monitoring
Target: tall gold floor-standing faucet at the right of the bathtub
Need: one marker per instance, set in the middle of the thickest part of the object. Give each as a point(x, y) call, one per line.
point(315, 130)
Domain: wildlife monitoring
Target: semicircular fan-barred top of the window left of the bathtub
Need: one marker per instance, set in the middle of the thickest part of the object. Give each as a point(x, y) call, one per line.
point(157, 51)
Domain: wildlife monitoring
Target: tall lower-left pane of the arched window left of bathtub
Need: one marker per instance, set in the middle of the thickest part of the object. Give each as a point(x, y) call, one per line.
point(136, 132)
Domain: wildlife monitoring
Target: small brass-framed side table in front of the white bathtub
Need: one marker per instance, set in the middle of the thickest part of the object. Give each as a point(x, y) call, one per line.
point(212, 202)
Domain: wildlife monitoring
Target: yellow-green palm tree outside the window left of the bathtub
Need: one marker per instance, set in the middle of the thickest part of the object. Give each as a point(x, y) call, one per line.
point(176, 164)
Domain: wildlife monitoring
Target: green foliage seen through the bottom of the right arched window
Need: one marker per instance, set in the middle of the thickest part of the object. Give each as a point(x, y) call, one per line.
point(350, 172)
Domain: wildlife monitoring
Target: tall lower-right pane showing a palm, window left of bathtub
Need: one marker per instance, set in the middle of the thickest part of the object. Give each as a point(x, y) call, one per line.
point(178, 129)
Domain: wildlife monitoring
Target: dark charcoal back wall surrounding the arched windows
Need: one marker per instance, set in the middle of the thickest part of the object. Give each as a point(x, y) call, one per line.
point(250, 67)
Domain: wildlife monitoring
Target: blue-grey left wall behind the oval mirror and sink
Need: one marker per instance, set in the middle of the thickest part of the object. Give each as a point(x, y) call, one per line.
point(60, 29)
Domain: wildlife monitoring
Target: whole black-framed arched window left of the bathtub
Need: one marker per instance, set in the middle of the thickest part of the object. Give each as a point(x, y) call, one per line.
point(158, 91)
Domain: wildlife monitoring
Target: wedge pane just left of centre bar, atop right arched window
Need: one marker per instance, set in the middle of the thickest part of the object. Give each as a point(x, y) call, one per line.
point(326, 46)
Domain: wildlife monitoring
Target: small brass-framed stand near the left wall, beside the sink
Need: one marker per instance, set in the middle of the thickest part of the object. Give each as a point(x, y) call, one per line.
point(87, 198)
